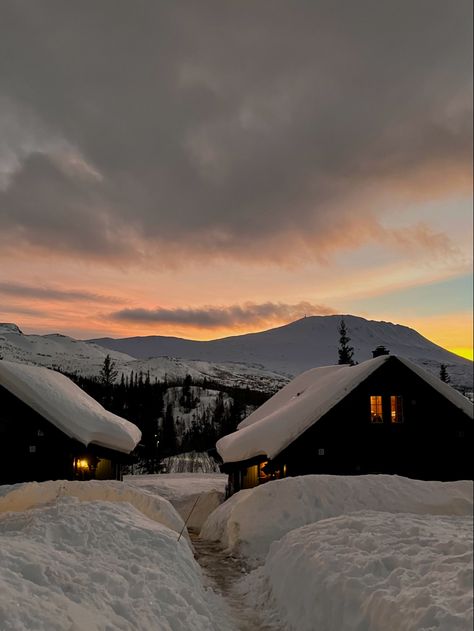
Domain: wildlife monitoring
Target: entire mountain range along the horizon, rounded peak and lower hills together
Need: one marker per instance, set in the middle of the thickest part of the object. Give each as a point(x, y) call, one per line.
point(263, 360)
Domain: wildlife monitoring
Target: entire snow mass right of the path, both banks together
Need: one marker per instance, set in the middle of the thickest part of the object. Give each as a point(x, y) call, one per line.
point(365, 553)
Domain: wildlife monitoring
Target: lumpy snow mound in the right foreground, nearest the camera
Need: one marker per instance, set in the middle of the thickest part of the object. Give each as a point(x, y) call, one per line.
point(371, 572)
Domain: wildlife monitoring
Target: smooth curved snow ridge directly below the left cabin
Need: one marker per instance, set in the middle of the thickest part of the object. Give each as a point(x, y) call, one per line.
point(21, 497)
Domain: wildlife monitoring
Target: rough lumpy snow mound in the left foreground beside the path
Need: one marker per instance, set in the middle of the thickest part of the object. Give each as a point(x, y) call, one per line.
point(98, 566)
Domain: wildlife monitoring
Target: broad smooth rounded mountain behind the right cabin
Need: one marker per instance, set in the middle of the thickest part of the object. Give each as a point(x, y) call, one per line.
point(303, 344)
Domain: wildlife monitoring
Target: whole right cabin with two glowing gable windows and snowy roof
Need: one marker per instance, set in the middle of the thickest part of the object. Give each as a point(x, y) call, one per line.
point(385, 415)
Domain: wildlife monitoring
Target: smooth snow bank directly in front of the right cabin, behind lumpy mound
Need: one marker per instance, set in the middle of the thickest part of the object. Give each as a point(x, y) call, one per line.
point(252, 519)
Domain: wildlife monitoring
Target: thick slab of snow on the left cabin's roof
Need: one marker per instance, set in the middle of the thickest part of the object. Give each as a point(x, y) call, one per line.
point(67, 407)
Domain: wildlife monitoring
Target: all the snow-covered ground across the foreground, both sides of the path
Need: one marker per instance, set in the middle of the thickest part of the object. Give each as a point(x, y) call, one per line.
point(331, 553)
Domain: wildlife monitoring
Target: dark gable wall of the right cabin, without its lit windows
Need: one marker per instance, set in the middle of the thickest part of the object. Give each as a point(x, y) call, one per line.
point(432, 442)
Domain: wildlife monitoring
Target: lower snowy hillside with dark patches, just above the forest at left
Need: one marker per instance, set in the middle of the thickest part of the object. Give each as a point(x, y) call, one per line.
point(86, 358)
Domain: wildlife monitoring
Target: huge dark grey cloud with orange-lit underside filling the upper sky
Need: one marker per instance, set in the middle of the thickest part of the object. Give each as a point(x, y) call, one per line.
point(164, 128)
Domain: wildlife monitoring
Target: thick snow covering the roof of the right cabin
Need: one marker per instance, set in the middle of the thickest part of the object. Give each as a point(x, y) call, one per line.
point(301, 403)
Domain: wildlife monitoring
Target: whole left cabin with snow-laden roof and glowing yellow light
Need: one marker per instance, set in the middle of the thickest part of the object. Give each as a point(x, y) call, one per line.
point(51, 429)
